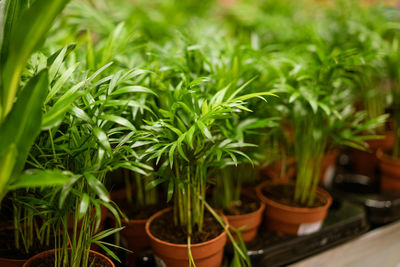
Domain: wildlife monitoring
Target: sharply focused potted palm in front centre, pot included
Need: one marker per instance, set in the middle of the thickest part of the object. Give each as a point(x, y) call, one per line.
point(188, 134)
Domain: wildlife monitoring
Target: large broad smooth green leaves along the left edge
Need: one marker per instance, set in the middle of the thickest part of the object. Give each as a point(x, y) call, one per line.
point(20, 109)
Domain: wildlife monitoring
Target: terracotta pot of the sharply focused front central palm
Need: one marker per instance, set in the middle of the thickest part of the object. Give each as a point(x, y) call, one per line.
point(206, 254)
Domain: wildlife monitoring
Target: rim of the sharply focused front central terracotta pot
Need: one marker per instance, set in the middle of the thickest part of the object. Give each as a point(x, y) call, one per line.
point(159, 213)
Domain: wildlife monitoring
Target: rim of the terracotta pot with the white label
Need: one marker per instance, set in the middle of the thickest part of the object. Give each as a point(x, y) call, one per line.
point(271, 202)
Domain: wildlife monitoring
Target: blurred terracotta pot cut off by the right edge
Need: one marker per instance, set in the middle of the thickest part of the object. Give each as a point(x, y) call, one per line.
point(390, 171)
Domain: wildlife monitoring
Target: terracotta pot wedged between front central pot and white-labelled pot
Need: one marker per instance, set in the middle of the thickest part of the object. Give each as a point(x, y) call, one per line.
point(251, 220)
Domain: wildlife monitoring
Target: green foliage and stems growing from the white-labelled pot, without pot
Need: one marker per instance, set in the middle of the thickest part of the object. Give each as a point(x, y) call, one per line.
point(321, 112)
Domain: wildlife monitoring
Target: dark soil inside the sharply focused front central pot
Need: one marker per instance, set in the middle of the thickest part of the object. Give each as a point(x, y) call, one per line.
point(163, 228)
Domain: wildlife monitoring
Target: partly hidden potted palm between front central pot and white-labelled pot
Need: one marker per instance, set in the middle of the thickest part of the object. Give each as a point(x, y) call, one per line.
point(235, 178)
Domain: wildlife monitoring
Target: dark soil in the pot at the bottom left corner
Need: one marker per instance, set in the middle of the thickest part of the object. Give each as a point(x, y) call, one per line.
point(8, 250)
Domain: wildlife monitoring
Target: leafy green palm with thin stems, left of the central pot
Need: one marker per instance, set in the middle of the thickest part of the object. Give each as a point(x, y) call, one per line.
point(91, 140)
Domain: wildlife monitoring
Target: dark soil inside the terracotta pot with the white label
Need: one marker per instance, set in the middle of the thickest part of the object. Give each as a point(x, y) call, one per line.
point(283, 194)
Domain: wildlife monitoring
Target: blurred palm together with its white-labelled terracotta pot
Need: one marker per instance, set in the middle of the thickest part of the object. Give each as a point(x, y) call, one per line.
point(322, 116)
